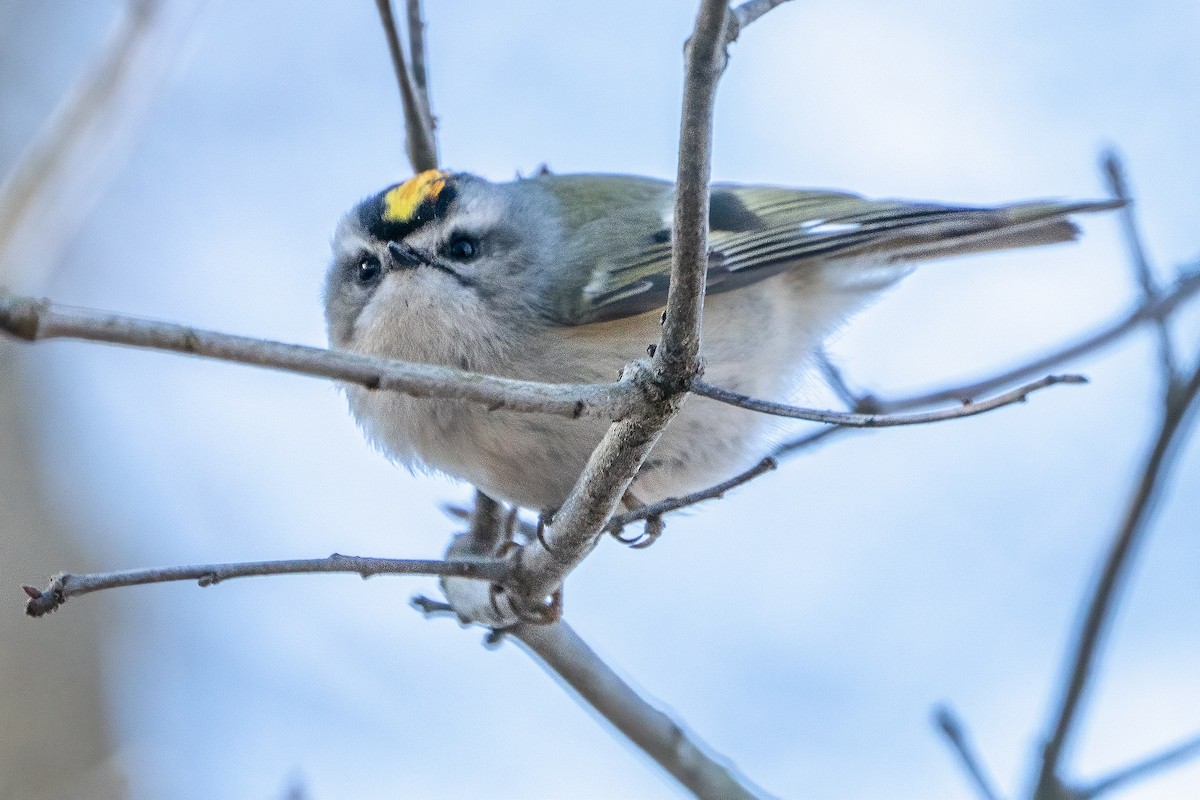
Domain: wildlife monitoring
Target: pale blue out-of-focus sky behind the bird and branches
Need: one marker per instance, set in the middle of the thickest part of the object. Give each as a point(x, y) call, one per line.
point(807, 624)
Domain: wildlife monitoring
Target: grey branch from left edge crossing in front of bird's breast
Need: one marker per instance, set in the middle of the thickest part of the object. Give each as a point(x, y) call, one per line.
point(37, 321)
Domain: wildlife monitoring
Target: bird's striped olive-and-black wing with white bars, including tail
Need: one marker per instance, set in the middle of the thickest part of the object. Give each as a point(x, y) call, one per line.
point(759, 232)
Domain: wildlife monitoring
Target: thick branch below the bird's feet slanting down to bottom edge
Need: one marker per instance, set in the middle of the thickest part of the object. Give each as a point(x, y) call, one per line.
point(566, 655)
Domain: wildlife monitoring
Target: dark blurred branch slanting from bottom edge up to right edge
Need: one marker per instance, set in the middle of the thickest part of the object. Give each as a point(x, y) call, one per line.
point(1177, 417)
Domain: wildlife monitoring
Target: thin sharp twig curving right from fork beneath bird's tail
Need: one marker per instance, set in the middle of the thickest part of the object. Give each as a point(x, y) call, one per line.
point(853, 420)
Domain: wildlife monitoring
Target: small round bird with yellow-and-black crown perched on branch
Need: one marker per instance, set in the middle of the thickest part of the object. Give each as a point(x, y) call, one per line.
point(562, 279)
